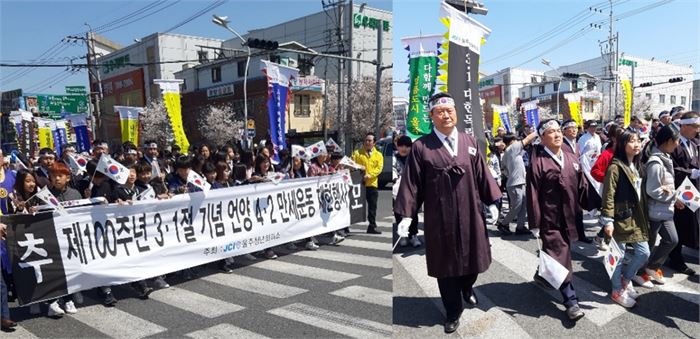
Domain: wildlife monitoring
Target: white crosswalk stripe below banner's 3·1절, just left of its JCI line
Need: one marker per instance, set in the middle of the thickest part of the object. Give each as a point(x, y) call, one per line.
point(194, 302)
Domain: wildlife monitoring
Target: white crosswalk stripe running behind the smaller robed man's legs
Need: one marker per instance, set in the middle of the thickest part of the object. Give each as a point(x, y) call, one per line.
point(599, 308)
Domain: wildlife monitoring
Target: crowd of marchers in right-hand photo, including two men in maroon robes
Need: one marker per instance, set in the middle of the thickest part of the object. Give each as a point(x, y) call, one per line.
point(626, 177)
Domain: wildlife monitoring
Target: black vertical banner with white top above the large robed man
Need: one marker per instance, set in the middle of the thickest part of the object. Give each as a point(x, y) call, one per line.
point(461, 53)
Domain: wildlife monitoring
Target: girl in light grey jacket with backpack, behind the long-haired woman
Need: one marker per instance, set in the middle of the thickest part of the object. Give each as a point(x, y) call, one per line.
point(662, 198)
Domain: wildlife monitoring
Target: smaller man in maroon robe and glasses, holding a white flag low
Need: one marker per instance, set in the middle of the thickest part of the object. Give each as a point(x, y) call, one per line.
point(555, 189)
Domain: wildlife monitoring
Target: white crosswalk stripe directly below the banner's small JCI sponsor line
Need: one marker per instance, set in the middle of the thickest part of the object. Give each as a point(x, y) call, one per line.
point(248, 284)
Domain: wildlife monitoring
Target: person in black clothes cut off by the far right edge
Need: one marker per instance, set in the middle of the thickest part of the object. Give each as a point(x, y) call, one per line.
point(686, 164)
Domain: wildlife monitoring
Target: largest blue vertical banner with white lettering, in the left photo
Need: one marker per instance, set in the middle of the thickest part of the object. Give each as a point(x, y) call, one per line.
point(278, 93)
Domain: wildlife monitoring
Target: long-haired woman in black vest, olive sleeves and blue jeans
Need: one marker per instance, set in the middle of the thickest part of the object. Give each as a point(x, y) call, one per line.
point(624, 214)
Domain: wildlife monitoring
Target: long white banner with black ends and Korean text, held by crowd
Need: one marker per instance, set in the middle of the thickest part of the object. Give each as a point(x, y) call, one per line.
point(54, 255)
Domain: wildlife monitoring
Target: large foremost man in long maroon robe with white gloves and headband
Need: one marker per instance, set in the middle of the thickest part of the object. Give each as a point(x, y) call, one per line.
point(446, 171)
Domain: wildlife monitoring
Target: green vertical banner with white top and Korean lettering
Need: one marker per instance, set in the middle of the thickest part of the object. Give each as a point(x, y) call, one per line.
point(422, 69)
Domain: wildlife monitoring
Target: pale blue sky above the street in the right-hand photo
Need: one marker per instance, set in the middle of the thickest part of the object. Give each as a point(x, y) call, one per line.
point(670, 31)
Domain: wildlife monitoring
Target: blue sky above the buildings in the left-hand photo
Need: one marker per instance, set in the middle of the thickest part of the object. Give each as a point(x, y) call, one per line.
point(29, 28)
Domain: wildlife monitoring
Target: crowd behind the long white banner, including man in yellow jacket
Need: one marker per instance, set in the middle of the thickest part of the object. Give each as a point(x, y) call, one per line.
point(162, 175)
